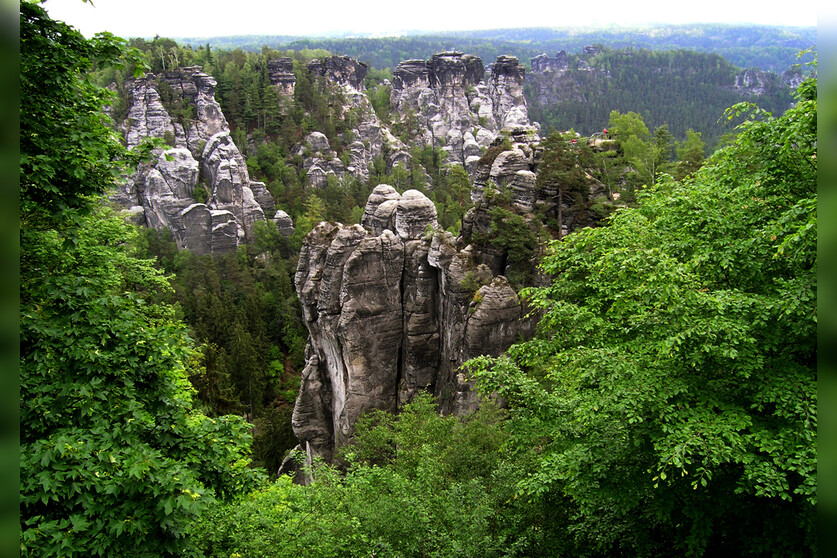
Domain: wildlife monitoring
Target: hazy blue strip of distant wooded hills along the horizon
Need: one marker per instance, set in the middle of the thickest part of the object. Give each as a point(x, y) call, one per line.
point(746, 46)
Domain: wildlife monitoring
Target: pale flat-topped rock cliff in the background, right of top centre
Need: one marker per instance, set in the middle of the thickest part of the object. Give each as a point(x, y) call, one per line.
point(453, 106)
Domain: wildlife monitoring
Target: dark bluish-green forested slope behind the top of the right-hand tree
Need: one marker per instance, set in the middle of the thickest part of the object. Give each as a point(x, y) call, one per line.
point(680, 88)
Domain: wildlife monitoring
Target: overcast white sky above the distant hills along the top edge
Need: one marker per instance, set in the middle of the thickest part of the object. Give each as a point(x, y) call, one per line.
point(208, 18)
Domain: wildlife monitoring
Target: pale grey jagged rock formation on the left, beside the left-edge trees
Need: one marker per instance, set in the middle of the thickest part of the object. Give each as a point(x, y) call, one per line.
point(164, 193)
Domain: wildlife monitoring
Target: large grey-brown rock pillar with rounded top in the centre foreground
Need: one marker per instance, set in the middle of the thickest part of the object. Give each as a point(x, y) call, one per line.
point(391, 309)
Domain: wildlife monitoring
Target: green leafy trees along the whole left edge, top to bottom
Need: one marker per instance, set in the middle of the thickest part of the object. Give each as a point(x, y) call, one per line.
point(113, 459)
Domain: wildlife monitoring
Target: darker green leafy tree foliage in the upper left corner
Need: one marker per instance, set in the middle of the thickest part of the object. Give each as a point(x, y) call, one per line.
point(68, 153)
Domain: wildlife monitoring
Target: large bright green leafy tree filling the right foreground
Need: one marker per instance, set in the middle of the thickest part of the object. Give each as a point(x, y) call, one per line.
point(671, 389)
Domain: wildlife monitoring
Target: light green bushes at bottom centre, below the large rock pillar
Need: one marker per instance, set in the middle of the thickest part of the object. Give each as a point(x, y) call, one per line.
point(416, 484)
